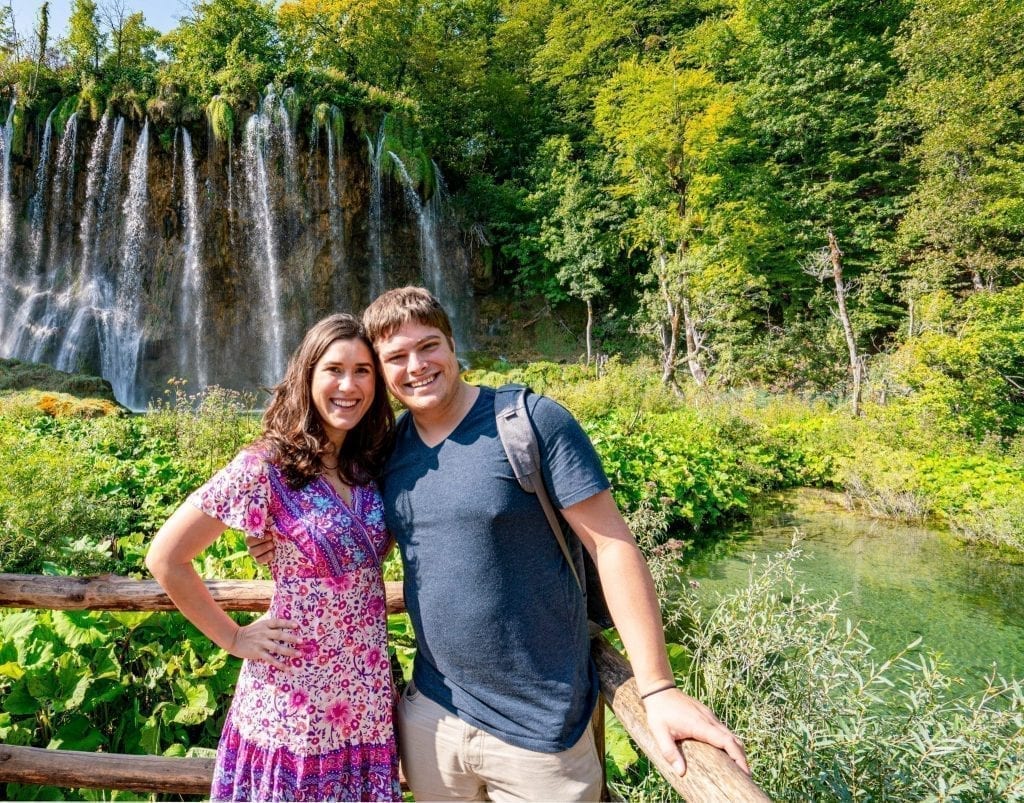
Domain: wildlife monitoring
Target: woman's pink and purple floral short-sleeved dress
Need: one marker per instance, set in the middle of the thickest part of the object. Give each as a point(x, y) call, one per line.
point(323, 730)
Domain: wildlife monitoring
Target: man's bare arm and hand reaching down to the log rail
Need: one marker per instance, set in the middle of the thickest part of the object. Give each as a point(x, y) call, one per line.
point(629, 591)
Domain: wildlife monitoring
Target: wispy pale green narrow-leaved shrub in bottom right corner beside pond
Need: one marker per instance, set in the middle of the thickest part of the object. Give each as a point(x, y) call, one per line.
point(824, 717)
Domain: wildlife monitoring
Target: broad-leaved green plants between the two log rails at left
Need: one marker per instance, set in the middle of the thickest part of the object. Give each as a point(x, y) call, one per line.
point(118, 683)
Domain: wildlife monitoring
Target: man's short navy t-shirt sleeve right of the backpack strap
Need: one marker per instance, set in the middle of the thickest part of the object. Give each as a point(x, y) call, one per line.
point(572, 468)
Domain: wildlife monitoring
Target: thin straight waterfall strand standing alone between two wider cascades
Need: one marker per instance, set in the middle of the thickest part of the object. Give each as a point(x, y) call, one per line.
point(193, 313)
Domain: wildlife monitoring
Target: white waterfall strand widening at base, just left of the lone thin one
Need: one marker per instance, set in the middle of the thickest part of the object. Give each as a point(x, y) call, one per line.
point(121, 331)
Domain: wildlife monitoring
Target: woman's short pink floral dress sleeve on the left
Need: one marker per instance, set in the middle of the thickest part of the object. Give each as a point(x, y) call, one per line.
point(239, 495)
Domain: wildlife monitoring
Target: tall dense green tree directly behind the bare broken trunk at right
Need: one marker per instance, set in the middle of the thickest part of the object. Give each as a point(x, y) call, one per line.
point(813, 80)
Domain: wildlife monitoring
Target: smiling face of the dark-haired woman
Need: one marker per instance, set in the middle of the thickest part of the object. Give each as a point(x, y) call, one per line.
point(343, 388)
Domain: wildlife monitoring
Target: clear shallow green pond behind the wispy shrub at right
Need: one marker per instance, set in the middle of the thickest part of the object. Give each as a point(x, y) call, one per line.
point(899, 582)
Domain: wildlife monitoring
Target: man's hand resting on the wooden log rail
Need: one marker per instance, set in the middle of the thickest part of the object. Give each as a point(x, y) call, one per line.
point(674, 716)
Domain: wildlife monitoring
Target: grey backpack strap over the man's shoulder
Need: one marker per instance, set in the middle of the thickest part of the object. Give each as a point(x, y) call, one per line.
point(517, 432)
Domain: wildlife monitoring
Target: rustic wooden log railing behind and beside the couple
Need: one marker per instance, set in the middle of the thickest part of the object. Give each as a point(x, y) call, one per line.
point(711, 775)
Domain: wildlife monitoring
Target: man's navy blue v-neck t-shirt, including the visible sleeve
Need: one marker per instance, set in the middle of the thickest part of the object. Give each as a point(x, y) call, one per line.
point(501, 626)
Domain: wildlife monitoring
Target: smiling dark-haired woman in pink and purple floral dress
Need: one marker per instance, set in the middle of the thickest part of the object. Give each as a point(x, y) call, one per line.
point(312, 715)
